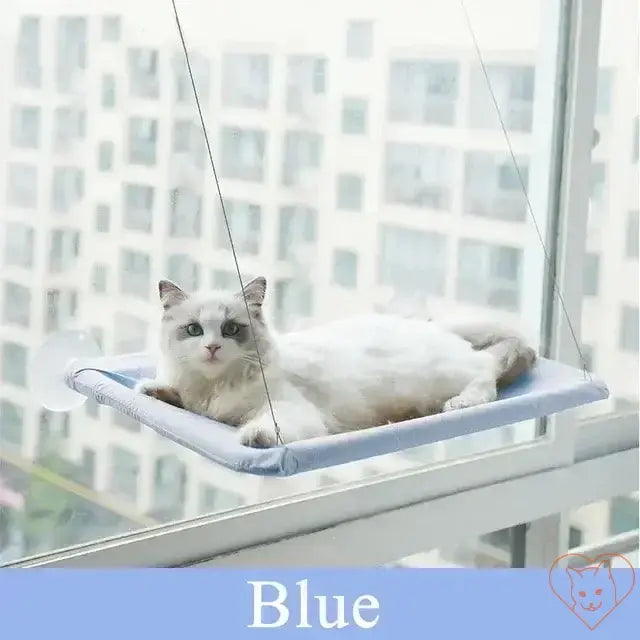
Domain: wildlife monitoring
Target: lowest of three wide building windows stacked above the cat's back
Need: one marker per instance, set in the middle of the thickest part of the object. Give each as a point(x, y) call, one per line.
point(411, 260)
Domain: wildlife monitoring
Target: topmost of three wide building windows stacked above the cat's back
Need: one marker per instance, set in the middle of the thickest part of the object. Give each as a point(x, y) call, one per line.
point(423, 91)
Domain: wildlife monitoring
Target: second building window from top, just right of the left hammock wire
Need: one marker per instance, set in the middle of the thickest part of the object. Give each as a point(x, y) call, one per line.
point(243, 154)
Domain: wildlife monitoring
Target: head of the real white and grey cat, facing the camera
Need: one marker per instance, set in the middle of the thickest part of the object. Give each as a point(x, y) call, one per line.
point(208, 334)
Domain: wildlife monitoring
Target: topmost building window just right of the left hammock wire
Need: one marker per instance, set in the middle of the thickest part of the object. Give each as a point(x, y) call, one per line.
point(245, 80)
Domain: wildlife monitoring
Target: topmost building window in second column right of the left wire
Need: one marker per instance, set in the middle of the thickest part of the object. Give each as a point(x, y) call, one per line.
point(306, 82)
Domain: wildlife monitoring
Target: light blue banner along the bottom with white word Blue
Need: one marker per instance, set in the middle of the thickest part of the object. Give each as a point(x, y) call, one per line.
point(380, 603)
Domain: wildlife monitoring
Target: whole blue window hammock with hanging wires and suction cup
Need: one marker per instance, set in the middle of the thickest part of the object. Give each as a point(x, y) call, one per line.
point(549, 388)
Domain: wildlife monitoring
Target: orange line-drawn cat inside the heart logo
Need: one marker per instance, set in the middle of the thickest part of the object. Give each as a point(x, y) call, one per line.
point(593, 592)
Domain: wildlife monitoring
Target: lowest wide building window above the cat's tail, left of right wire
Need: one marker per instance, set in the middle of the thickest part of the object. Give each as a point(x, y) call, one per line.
point(489, 274)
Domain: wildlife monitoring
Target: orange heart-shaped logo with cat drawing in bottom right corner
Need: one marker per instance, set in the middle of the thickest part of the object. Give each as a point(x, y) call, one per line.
point(593, 591)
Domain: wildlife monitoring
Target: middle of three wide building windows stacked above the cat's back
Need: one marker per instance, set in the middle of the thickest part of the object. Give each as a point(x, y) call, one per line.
point(419, 175)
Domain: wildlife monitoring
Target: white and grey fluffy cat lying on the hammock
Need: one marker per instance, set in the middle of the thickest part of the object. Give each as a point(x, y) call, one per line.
point(349, 374)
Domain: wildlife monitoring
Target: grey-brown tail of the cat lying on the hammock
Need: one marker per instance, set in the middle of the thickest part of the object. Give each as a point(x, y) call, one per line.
point(512, 352)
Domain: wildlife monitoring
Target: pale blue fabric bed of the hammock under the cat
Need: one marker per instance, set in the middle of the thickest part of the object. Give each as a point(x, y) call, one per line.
point(549, 388)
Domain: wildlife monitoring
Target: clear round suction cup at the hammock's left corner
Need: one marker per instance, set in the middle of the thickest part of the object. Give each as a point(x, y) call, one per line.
point(51, 363)
